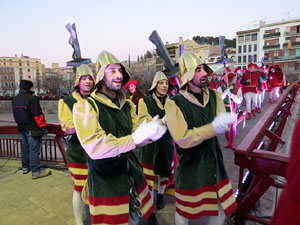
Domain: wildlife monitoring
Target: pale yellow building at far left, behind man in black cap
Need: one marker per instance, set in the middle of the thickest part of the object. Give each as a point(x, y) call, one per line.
point(13, 69)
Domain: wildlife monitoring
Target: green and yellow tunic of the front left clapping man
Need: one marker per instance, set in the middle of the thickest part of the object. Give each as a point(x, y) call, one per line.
point(104, 130)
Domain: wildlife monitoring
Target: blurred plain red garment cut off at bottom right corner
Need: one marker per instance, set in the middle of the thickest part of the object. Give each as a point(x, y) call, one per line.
point(288, 207)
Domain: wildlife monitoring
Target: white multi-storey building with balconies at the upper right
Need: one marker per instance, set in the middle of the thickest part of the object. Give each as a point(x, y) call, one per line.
point(277, 42)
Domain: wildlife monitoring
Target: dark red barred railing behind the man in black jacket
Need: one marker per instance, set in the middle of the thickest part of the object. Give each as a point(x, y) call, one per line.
point(52, 149)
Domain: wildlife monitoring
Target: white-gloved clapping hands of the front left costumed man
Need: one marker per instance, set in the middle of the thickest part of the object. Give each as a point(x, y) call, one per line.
point(148, 131)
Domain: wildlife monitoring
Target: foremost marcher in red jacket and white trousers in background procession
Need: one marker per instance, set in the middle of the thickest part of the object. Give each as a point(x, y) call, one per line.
point(251, 82)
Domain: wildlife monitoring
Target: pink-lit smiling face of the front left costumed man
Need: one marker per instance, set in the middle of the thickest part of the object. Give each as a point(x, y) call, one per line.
point(113, 77)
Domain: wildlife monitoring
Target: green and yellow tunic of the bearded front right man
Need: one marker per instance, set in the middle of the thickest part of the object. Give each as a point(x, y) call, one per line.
point(200, 178)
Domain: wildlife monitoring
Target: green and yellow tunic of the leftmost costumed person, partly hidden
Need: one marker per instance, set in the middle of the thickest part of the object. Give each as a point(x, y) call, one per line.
point(75, 154)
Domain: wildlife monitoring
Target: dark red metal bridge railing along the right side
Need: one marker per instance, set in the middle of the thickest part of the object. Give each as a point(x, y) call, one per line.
point(259, 153)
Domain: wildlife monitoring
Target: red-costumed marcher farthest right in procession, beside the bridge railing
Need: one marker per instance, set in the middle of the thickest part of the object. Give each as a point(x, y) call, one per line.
point(276, 79)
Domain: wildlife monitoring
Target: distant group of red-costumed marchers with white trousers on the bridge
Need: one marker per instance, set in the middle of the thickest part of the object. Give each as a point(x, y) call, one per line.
point(248, 86)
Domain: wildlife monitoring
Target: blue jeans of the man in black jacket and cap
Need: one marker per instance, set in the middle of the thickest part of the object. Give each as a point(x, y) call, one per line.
point(31, 151)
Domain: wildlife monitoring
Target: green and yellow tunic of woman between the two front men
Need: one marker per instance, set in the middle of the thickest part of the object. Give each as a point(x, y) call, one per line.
point(156, 158)
